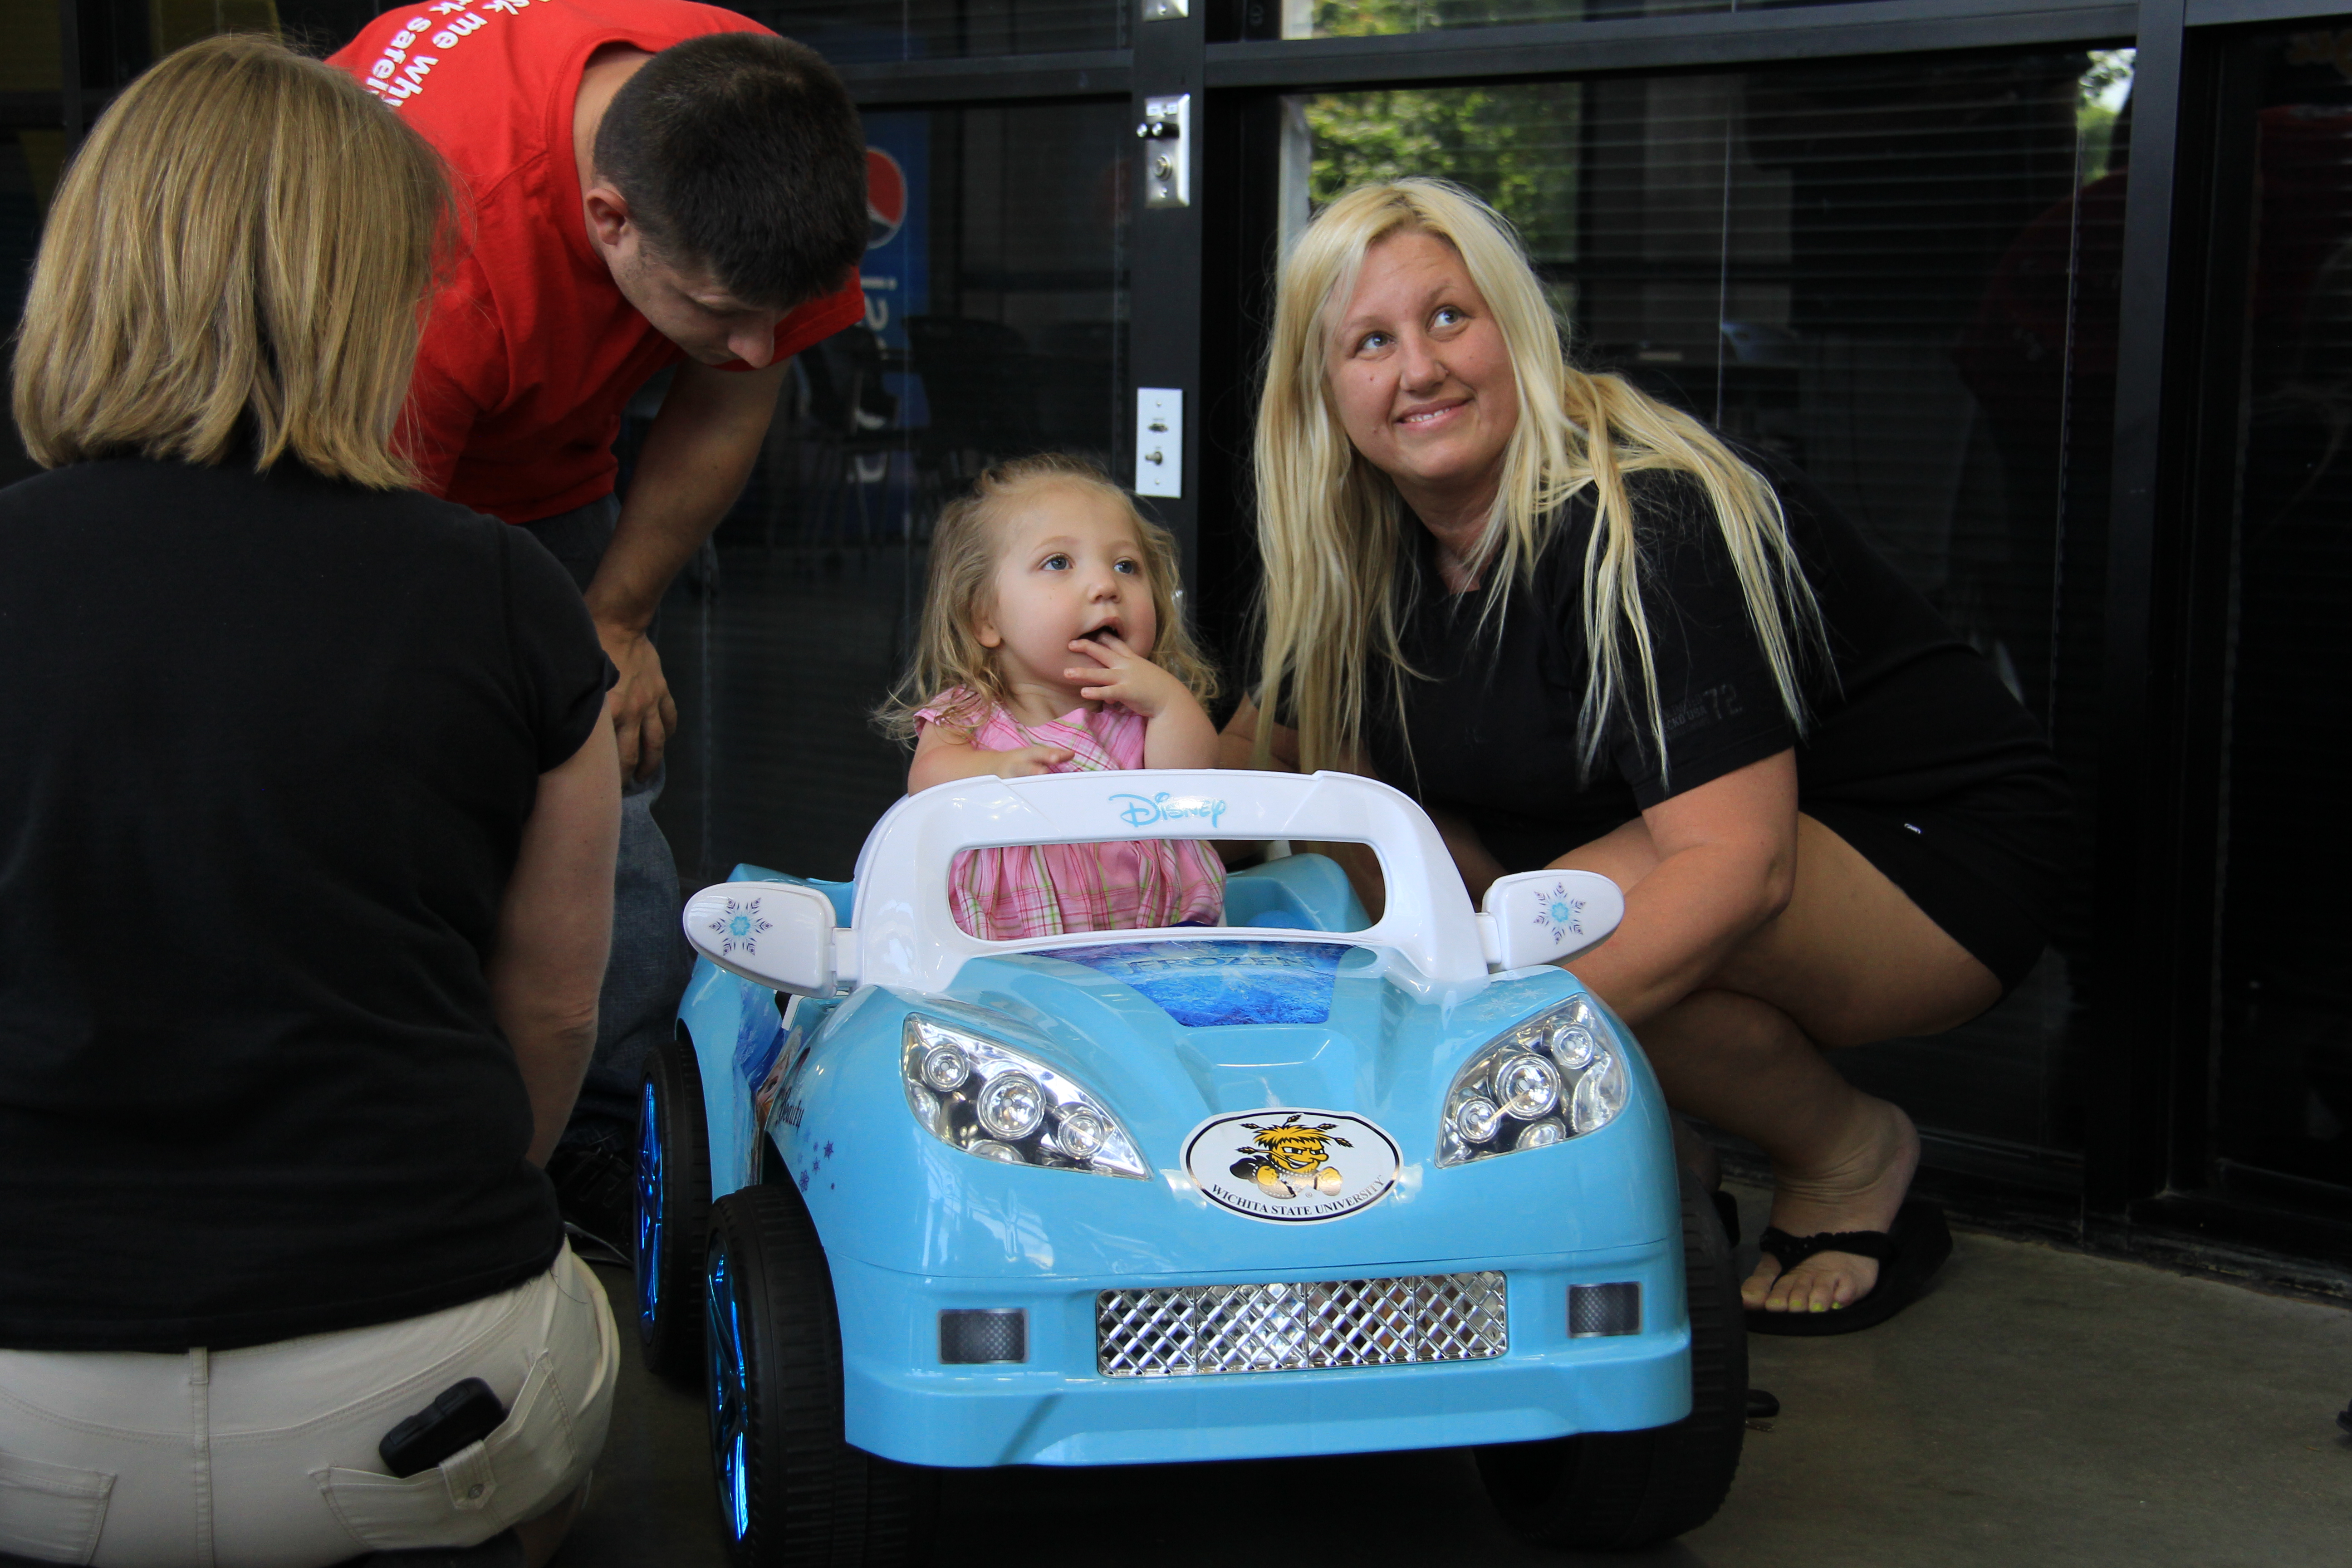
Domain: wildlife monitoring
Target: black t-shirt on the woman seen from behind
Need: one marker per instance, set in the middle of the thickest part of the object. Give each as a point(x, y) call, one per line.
point(267, 756)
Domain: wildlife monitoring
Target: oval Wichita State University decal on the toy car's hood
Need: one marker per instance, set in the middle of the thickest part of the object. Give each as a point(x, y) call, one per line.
point(1295, 1165)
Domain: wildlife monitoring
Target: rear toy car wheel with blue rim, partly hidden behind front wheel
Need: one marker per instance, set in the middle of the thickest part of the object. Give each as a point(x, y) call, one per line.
point(671, 1212)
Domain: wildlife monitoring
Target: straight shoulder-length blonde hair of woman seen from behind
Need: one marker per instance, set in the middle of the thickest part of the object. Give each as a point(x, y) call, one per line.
point(243, 250)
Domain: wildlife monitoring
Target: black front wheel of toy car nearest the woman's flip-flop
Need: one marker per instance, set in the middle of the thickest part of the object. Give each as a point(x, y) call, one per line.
point(1633, 1489)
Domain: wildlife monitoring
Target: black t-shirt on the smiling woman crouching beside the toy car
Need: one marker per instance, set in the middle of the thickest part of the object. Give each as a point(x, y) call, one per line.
point(1902, 716)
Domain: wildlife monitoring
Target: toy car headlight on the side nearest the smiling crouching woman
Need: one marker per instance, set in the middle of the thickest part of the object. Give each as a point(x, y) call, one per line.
point(1549, 1080)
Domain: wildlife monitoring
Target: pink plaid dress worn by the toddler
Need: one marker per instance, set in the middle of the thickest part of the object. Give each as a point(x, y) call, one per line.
point(1057, 890)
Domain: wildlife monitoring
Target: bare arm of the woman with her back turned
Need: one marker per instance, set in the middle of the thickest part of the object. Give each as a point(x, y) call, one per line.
point(547, 960)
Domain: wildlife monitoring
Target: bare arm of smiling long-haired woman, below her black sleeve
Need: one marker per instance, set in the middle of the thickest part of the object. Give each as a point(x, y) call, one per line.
point(1720, 864)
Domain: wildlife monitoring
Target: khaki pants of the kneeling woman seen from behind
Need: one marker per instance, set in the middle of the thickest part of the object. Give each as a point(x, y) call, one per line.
point(267, 1456)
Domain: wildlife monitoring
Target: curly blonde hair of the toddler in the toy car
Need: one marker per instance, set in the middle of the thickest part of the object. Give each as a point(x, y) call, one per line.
point(949, 650)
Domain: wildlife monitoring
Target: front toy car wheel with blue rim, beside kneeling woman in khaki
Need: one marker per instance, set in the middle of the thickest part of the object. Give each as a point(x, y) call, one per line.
point(791, 1492)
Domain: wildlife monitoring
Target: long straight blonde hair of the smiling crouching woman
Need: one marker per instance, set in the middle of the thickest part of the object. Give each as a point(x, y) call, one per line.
point(1330, 523)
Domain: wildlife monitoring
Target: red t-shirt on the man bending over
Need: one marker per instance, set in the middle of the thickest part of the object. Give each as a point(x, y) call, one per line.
point(533, 351)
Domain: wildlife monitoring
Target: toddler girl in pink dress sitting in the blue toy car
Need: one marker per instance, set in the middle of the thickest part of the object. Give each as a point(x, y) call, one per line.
point(1048, 601)
